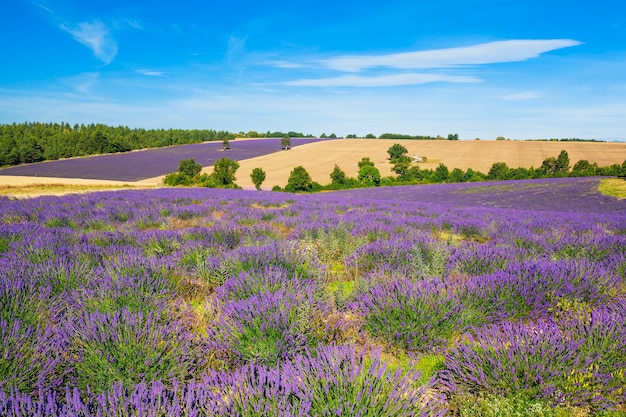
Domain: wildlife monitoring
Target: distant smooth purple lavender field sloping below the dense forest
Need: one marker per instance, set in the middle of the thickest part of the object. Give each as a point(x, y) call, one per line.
point(139, 165)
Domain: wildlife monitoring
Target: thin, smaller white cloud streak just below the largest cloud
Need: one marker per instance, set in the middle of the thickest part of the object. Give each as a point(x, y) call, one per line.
point(381, 81)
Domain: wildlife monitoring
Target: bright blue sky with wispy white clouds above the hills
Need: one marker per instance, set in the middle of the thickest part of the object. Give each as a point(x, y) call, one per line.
point(479, 68)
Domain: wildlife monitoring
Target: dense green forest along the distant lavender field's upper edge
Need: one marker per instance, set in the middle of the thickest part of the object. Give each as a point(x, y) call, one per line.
point(35, 142)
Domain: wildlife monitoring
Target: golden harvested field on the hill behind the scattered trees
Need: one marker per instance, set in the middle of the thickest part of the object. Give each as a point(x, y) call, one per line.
point(320, 158)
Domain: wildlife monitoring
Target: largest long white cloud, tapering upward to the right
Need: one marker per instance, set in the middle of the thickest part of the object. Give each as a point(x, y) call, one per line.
point(485, 53)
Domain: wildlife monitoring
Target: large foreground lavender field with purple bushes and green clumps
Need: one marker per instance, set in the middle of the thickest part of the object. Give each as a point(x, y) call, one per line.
point(208, 302)
